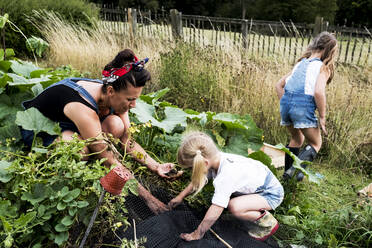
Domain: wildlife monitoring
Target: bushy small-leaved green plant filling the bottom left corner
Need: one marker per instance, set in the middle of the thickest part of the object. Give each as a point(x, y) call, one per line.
point(46, 193)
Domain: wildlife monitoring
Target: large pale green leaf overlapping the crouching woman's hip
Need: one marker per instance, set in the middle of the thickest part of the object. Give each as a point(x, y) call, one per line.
point(32, 119)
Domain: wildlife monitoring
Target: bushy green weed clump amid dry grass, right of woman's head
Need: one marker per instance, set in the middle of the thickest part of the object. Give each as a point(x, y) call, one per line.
point(183, 72)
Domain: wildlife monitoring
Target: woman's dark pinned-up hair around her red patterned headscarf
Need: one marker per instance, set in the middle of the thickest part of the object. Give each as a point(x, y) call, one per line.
point(137, 78)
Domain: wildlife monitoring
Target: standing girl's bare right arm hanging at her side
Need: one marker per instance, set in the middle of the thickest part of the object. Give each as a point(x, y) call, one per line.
point(320, 97)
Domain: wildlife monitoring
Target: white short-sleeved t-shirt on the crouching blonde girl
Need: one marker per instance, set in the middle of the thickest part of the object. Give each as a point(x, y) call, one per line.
point(237, 173)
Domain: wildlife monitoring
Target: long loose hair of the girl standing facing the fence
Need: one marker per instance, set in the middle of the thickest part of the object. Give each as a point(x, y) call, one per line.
point(326, 43)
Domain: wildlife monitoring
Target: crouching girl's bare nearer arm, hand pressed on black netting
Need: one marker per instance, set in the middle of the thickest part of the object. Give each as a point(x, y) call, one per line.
point(210, 218)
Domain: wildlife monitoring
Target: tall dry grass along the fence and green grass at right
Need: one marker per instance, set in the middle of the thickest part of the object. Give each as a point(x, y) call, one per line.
point(227, 80)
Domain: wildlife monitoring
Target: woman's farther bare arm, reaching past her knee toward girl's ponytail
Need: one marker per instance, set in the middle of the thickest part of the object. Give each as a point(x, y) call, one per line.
point(140, 155)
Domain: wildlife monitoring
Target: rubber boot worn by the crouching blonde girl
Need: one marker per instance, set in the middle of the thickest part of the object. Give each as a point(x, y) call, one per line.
point(265, 226)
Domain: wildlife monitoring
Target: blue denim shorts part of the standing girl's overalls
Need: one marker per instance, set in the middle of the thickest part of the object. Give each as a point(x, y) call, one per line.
point(298, 110)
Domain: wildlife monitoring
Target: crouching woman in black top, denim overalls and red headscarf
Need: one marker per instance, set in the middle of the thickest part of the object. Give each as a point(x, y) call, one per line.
point(89, 107)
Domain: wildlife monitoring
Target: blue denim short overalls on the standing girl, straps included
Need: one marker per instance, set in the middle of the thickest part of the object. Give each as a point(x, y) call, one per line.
point(296, 107)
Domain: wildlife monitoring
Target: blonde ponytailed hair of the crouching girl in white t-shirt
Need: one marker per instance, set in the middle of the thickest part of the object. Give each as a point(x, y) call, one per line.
point(196, 147)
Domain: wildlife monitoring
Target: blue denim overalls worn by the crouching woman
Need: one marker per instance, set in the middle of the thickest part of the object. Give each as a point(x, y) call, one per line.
point(28, 135)
